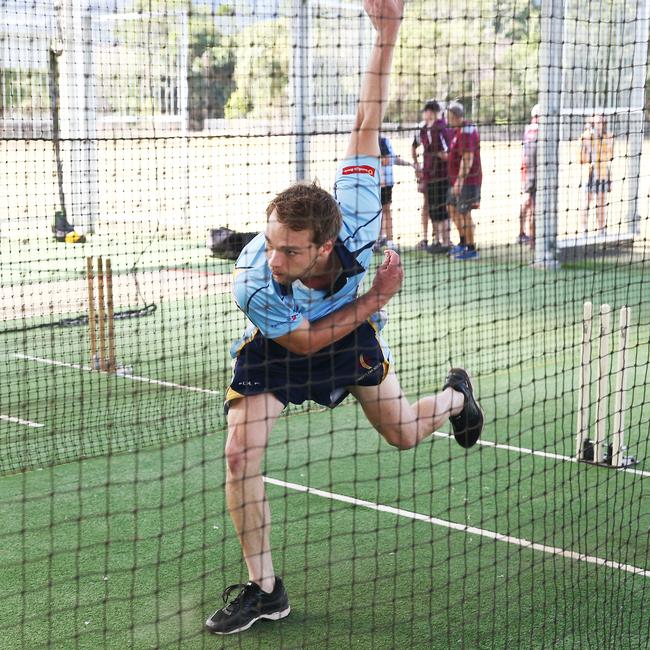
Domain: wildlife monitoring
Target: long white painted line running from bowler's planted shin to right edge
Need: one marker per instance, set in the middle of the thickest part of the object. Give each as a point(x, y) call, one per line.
point(472, 530)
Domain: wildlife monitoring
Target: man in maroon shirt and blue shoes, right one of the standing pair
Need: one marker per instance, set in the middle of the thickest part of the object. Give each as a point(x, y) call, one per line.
point(465, 178)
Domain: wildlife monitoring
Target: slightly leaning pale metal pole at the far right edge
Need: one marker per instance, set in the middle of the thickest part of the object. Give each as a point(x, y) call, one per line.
point(635, 120)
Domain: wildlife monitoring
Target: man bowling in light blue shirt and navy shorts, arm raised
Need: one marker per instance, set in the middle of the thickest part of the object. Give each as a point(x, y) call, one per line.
point(312, 336)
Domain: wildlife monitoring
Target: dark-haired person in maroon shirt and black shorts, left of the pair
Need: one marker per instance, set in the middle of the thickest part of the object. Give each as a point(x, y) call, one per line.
point(432, 136)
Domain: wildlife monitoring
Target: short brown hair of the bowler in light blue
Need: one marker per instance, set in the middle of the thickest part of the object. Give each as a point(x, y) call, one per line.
point(307, 206)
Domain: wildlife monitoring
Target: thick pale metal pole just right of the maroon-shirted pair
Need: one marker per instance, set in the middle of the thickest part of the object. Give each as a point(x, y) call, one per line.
point(550, 86)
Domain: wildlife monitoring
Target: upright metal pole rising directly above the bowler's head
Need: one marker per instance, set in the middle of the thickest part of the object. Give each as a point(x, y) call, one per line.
point(300, 84)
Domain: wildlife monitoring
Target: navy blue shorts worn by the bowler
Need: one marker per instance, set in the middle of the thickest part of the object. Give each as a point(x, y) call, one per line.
point(263, 366)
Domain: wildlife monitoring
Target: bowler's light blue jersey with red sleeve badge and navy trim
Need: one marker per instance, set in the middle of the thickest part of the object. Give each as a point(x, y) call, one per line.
point(275, 309)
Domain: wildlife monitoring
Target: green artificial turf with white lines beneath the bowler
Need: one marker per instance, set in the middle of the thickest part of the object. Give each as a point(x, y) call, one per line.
point(114, 527)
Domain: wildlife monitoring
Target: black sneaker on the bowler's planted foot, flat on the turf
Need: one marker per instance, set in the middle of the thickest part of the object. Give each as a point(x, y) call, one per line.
point(250, 605)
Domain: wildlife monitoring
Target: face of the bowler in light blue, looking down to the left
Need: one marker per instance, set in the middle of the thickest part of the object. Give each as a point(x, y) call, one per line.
point(291, 254)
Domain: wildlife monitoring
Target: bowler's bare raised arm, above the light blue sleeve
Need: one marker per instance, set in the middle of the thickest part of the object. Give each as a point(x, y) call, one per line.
point(386, 17)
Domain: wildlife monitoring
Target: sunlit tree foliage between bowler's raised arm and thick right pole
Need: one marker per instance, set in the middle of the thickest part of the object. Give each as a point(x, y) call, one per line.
point(482, 52)
